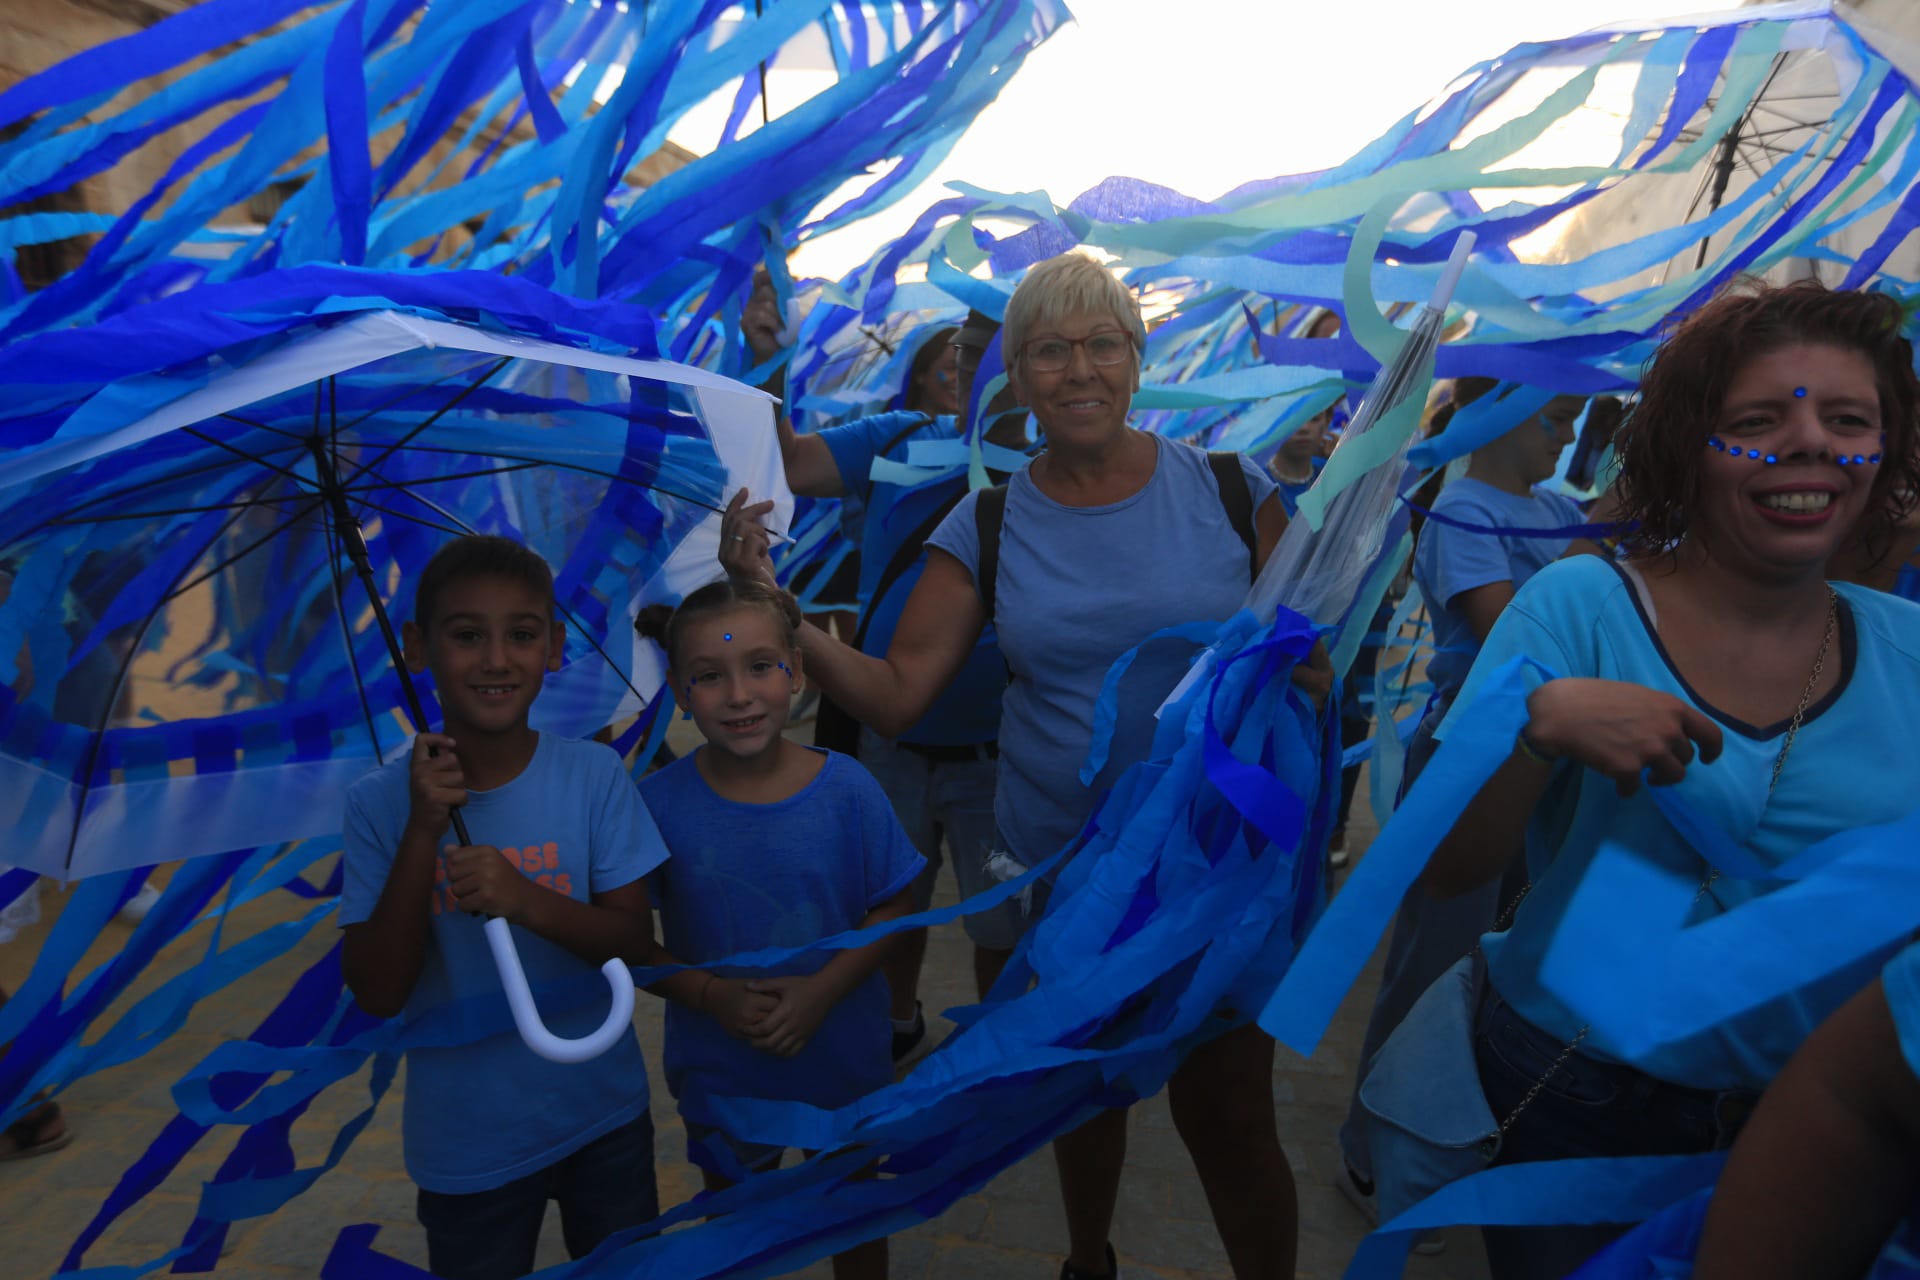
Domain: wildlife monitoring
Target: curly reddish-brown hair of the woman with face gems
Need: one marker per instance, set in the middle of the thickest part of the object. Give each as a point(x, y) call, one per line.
point(1664, 440)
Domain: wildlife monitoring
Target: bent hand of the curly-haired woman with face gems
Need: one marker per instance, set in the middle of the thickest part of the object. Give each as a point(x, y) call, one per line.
point(1621, 730)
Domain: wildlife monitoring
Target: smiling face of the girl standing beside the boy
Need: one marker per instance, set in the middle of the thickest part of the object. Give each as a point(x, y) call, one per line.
point(736, 676)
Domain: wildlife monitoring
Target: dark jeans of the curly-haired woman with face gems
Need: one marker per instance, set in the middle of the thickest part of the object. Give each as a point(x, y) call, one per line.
point(1585, 1108)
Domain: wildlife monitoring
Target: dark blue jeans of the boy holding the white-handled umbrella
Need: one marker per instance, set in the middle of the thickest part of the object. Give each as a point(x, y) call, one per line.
point(604, 1187)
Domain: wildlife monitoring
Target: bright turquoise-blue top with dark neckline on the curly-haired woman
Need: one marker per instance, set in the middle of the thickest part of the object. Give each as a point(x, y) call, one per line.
point(1852, 767)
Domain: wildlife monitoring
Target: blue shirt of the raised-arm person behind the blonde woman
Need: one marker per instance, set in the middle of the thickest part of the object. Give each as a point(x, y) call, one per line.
point(969, 711)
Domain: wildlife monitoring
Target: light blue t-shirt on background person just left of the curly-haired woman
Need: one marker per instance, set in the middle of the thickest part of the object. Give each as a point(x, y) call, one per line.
point(1454, 561)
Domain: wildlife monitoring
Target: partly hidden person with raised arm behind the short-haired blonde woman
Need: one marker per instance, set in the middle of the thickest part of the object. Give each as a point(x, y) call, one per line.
point(940, 772)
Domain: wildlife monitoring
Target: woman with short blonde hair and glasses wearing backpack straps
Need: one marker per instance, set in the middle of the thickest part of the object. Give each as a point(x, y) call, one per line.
point(1107, 538)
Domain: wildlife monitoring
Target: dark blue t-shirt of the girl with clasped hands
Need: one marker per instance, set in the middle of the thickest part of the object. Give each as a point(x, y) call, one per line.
point(757, 876)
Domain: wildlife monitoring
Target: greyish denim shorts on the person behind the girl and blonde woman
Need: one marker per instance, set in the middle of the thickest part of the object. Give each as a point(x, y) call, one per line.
point(953, 801)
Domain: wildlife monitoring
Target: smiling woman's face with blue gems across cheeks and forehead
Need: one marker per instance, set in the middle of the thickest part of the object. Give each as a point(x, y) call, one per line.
point(1804, 408)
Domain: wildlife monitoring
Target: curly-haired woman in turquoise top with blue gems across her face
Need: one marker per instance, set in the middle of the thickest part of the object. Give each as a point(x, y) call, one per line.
point(1773, 427)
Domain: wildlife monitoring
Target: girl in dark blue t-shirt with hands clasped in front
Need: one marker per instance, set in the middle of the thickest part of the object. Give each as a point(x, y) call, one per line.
point(775, 845)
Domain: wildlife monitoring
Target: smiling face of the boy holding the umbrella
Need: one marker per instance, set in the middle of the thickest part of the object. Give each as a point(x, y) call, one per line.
point(491, 646)
